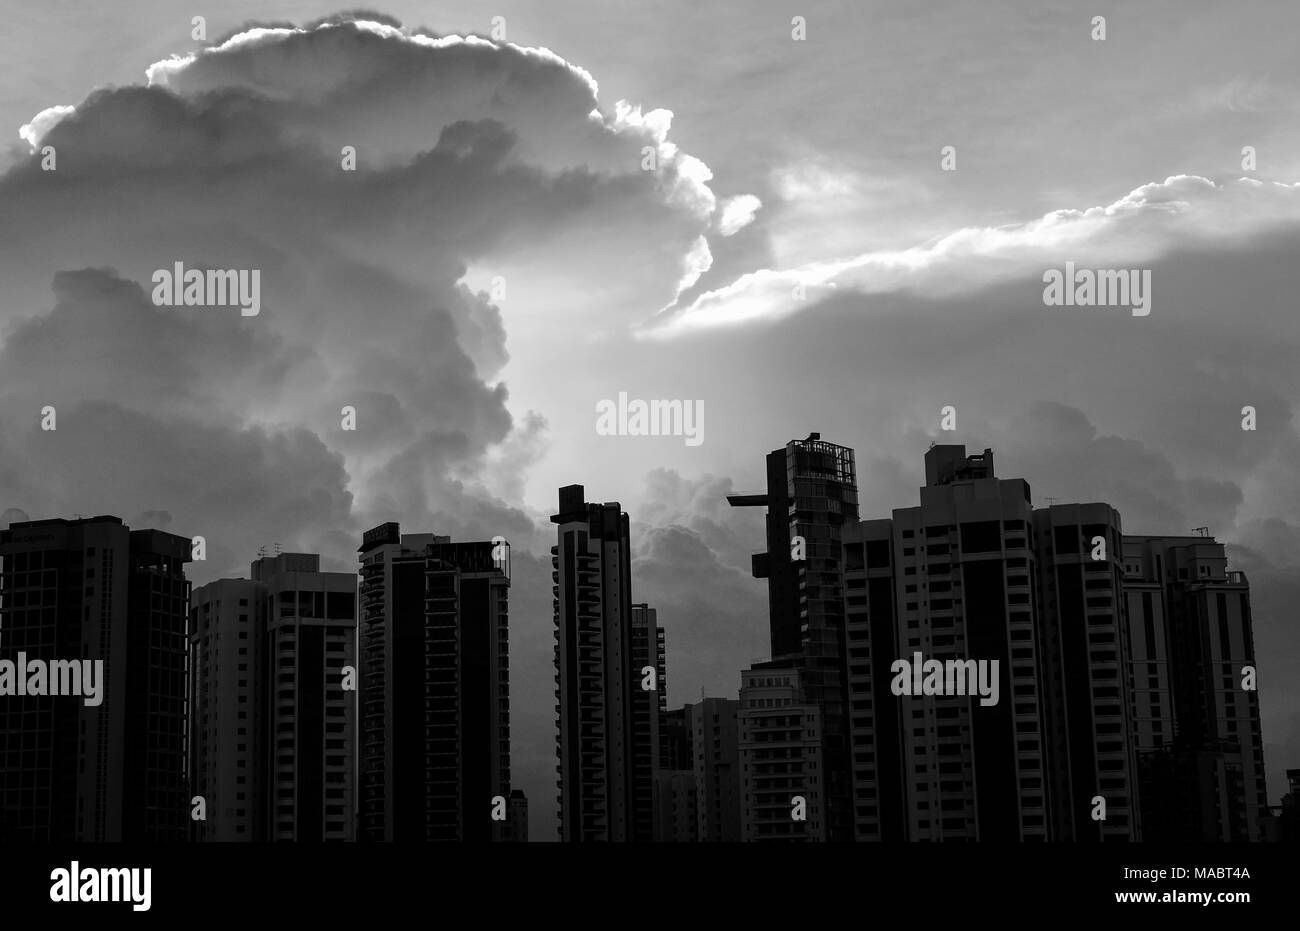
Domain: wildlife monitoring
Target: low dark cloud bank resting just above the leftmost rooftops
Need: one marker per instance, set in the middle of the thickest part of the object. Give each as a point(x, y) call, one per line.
point(229, 484)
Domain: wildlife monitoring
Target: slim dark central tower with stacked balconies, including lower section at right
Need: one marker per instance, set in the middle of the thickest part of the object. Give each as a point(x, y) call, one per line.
point(608, 734)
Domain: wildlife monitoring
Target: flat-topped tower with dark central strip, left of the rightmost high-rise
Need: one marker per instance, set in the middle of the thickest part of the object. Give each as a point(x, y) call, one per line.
point(1085, 657)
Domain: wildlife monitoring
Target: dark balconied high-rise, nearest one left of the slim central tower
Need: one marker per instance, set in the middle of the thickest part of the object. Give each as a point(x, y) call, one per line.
point(435, 686)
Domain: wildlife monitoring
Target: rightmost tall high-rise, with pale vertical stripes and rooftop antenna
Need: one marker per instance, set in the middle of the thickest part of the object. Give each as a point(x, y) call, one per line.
point(1195, 718)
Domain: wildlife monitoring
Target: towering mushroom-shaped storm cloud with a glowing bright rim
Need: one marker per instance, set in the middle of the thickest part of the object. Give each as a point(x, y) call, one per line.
point(466, 151)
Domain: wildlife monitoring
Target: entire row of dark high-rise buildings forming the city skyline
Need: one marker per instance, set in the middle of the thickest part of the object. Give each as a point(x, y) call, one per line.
point(1133, 607)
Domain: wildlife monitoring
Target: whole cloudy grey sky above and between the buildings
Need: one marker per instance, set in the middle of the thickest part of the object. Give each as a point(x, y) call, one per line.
point(796, 259)
